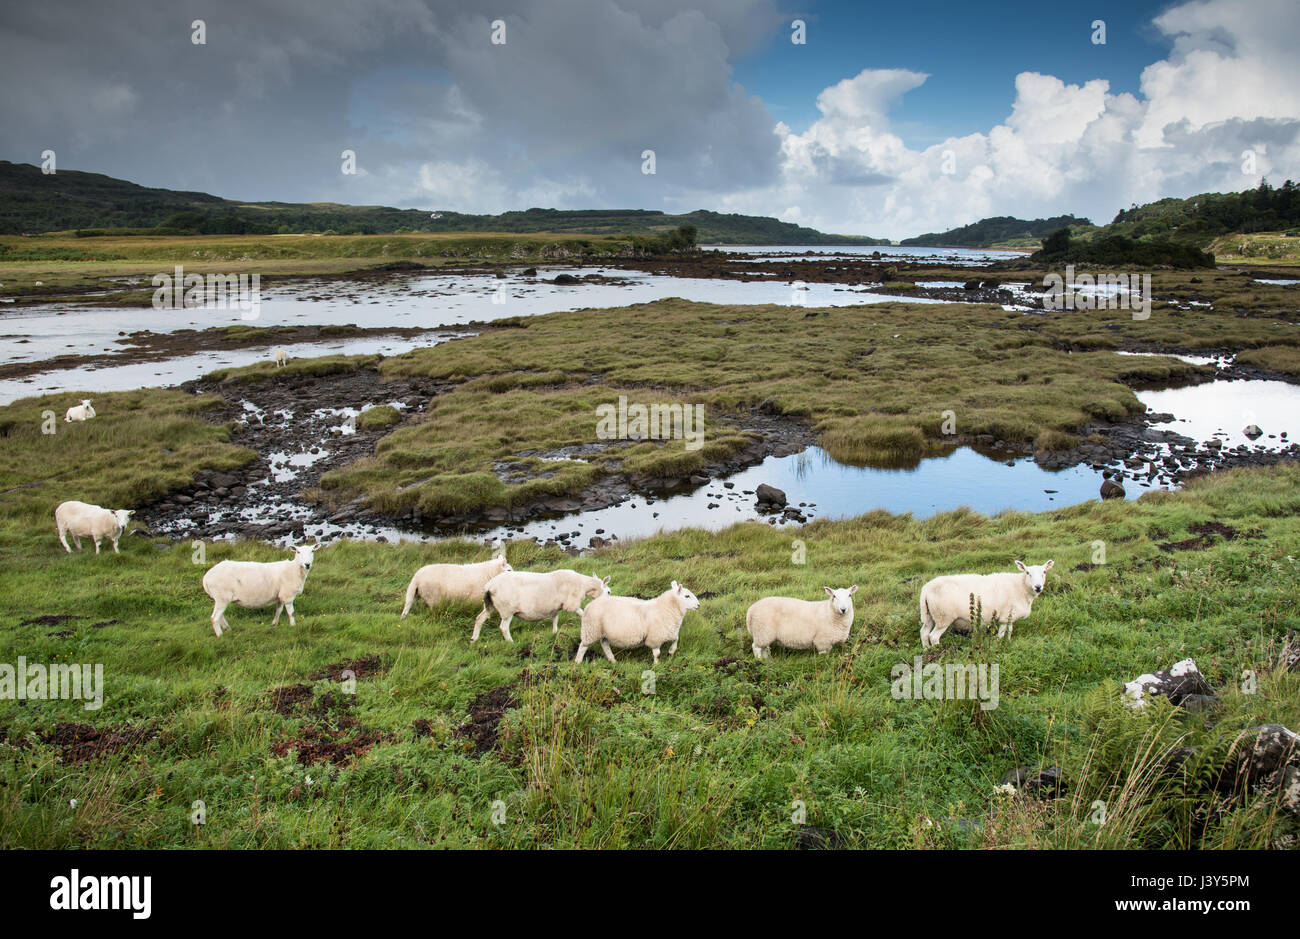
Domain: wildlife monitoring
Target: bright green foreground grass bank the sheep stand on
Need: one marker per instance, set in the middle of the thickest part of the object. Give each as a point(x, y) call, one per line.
point(720, 754)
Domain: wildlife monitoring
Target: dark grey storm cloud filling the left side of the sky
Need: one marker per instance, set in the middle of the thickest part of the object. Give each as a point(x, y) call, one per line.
point(437, 115)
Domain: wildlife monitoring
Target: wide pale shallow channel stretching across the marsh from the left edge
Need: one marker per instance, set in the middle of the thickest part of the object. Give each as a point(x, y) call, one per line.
point(41, 334)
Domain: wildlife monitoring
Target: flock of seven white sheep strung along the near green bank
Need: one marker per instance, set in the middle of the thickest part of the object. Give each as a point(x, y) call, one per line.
point(614, 622)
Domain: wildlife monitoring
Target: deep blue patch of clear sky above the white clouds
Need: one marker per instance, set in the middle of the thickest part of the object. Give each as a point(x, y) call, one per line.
point(972, 51)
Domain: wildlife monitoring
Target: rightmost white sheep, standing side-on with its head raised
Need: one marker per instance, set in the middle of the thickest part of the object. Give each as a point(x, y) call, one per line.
point(1006, 598)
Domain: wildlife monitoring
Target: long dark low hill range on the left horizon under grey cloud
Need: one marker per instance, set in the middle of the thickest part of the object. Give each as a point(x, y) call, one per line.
point(32, 202)
